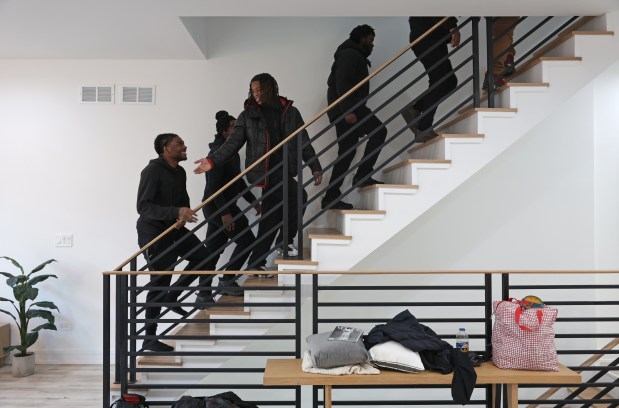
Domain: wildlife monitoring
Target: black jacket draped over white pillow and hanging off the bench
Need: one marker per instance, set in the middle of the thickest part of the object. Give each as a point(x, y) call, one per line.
point(436, 354)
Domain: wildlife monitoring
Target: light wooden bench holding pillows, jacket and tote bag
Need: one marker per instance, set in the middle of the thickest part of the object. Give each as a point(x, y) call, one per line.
point(288, 372)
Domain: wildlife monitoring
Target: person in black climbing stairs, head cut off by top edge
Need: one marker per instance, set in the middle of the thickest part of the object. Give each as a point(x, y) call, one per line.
point(431, 50)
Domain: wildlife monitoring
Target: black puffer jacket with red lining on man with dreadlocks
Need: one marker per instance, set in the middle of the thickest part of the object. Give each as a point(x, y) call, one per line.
point(251, 128)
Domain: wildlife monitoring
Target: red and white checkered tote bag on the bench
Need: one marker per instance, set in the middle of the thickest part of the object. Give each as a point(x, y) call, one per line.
point(523, 338)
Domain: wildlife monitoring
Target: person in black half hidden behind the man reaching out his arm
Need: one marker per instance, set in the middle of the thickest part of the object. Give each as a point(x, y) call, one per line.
point(225, 203)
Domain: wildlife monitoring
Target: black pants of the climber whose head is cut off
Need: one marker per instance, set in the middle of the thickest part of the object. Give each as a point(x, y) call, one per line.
point(443, 69)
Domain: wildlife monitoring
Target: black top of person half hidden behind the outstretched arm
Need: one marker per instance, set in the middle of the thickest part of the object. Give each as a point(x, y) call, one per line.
point(220, 176)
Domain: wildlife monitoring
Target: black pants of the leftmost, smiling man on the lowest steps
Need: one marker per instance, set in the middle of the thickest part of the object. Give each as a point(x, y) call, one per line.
point(165, 264)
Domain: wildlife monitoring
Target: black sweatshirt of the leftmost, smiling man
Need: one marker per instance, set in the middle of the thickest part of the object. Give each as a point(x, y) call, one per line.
point(161, 193)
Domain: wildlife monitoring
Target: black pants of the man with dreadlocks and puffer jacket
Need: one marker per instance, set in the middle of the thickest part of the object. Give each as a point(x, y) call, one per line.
point(275, 198)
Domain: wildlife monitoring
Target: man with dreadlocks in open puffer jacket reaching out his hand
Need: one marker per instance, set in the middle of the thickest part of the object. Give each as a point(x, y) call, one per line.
point(267, 119)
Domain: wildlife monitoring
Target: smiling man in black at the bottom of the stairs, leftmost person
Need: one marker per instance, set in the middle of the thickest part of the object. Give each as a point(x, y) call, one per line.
point(163, 202)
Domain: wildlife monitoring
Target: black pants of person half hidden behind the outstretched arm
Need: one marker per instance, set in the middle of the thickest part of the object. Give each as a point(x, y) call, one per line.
point(216, 241)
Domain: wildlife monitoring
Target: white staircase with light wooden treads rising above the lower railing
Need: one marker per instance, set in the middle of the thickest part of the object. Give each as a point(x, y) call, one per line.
point(465, 145)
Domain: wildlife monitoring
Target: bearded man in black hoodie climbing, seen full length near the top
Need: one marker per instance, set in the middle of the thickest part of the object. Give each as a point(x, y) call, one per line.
point(349, 68)
